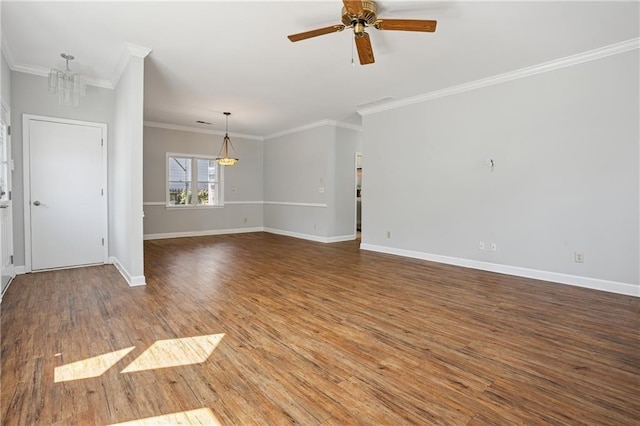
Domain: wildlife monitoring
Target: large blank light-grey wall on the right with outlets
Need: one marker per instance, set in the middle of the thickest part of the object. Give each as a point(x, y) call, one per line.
point(566, 176)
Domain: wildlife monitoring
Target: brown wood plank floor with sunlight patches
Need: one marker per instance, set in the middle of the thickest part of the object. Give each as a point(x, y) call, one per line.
point(285, 331)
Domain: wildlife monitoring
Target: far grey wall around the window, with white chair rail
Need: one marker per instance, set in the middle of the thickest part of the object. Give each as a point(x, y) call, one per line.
point(243, 190)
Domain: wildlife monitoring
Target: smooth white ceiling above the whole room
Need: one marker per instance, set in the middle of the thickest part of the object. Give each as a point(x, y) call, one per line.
point(214, 56)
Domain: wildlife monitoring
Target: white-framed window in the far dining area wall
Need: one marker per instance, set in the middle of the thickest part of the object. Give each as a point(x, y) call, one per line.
point(193, 181)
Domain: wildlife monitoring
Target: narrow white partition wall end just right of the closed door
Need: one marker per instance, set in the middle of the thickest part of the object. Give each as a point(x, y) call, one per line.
point(125, 172)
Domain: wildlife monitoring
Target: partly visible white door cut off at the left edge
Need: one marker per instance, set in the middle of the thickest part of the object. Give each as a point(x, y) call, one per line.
point(6, 224)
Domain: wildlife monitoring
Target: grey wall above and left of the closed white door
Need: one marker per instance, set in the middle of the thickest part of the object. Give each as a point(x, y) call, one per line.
point(30, 95)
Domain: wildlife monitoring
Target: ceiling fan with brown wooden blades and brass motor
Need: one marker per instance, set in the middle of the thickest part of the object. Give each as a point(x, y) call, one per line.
point(360, 14)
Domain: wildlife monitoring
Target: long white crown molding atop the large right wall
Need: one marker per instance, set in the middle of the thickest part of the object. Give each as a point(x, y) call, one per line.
point(568, 61)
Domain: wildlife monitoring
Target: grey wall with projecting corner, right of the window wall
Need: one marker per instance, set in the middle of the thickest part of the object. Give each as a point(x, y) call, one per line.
point(309, 182)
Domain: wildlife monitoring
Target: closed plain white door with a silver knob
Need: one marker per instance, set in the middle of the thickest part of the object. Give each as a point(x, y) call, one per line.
point(66, 202)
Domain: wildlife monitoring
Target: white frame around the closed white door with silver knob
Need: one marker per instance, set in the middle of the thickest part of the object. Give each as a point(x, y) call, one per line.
point(26, 159)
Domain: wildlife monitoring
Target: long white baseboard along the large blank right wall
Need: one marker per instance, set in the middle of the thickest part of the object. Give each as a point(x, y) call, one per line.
point(575, 280)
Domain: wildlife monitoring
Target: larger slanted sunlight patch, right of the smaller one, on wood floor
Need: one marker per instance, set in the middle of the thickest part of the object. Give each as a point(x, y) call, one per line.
point(175, 353)
